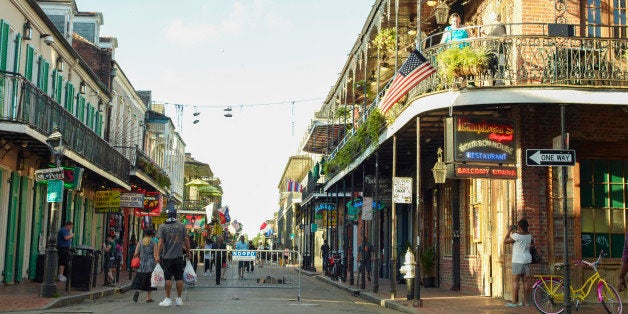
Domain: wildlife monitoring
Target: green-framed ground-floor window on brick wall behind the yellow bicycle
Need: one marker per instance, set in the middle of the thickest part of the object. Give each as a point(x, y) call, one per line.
point(603, 194)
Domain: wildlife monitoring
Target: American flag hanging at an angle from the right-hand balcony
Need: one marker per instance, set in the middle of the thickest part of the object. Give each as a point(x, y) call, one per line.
point(412, 72)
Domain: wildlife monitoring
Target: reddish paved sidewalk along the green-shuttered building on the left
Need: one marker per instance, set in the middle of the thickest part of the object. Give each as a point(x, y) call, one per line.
point(25, 296)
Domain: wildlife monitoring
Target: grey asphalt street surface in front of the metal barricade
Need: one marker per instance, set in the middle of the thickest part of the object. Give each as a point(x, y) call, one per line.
point(316, 297)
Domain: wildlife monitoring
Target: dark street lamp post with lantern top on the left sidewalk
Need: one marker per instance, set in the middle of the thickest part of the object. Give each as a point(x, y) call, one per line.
point(49, 287)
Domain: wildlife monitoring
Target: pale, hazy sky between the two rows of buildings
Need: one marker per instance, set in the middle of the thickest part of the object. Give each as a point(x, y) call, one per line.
point(255, 56)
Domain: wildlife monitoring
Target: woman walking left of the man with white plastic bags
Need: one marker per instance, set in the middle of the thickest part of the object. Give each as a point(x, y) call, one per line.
point(145, 250)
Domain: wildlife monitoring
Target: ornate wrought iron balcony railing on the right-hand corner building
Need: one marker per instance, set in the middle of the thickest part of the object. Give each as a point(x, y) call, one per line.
point(526, 56)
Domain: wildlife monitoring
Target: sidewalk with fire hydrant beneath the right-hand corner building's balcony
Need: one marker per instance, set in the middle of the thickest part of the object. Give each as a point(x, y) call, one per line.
point(434, 300)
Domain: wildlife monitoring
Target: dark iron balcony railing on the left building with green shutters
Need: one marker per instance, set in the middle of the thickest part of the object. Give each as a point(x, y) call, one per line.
point(24, 103)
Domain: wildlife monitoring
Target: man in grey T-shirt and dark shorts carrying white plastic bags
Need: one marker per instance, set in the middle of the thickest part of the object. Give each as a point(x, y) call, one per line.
point(173, 243)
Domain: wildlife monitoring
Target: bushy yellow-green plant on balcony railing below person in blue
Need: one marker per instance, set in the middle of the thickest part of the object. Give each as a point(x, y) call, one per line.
point(455, 62)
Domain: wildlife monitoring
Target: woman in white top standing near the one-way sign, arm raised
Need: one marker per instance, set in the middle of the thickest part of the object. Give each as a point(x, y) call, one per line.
point(521, 241)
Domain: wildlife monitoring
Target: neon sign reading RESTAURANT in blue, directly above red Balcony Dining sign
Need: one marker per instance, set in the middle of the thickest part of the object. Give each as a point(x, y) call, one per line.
point(480, 140)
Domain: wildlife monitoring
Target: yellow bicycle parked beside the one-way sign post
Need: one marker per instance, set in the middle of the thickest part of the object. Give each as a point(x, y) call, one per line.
point(548, 291)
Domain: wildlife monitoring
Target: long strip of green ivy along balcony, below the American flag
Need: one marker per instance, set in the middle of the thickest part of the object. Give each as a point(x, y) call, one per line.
point(366, 134)
